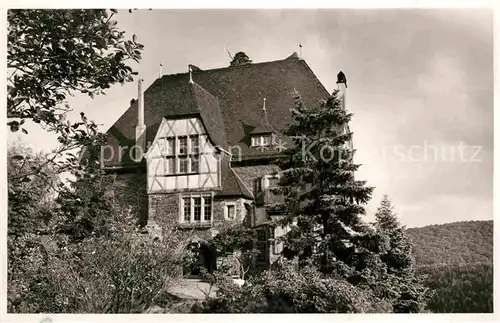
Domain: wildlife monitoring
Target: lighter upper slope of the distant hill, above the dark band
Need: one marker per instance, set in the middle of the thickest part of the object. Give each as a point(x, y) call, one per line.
point(468, 242)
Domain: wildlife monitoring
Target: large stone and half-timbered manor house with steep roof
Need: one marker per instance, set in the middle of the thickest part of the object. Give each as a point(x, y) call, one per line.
point(196, 149)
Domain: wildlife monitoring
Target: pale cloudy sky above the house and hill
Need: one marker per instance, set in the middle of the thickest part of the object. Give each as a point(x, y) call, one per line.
point(420, 87)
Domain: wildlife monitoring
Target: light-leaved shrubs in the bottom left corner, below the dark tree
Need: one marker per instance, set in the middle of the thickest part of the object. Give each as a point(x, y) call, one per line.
point(122, 273)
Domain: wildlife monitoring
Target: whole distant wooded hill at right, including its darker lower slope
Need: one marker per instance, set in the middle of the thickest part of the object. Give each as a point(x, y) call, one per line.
point(455, 260)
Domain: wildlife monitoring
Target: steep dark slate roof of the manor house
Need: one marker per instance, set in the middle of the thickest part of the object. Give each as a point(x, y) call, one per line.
point(229, 101)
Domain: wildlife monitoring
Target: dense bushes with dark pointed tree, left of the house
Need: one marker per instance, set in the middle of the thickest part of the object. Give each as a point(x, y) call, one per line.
point(71, 265)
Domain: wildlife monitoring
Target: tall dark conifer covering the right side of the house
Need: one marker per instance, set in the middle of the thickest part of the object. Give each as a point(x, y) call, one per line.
point(323, 200)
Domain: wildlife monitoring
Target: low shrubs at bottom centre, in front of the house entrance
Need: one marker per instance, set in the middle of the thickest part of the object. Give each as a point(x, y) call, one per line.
point(288, 289)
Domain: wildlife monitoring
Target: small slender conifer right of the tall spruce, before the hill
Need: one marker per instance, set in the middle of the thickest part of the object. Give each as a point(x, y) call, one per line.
point(412, 295)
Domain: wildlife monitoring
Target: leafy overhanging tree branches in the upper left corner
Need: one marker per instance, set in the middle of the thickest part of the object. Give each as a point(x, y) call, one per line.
point(53, 54)
